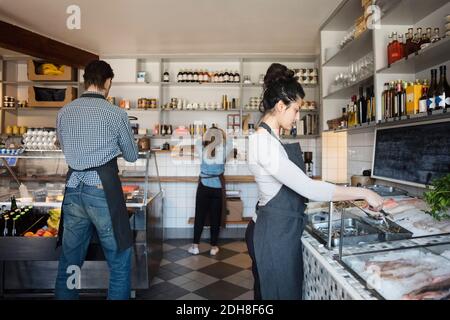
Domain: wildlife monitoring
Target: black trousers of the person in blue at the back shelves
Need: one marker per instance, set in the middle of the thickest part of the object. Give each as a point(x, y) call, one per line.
point(208, 203)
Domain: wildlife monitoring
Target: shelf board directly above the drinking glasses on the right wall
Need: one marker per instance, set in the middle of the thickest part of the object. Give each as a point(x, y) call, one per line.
point(353, 51)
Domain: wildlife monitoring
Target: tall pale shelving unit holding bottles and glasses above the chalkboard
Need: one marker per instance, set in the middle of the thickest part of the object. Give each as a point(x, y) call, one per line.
point(396, 16)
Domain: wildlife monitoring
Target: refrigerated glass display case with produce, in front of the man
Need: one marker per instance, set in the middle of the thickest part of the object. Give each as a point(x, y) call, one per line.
point(28, 262)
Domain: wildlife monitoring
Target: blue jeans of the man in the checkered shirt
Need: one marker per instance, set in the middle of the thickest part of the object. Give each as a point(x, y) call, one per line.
point(85, 208)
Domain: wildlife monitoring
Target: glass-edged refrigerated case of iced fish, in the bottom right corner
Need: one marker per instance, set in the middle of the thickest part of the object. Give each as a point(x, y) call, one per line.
point(415, 269)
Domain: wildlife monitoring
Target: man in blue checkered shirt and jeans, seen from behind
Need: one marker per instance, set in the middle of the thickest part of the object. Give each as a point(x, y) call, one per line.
point(93, 133)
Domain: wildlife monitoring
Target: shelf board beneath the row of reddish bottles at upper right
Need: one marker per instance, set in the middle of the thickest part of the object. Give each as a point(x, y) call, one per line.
point(433, 55)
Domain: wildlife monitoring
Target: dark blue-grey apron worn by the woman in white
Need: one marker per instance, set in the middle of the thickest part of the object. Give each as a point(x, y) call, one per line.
point(277, 238)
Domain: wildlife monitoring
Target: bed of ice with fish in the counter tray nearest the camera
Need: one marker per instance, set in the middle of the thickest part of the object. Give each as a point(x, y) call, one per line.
point(415, 273)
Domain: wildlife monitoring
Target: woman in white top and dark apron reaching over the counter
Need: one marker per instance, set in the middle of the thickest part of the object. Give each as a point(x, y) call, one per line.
point(274, 241)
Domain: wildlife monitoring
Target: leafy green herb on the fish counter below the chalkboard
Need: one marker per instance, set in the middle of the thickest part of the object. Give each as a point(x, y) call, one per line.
point(439, 198)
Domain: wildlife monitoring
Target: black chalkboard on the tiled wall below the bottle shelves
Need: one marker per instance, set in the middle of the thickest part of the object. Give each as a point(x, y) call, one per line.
point(414, 154)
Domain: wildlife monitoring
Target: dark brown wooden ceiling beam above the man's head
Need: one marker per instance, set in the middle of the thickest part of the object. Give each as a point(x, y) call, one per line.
point(23, 41)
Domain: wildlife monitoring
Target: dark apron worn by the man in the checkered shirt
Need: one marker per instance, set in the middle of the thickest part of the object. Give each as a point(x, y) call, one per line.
point(109, 176)
